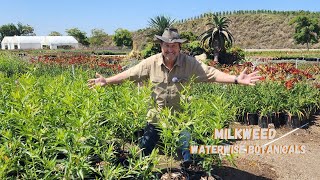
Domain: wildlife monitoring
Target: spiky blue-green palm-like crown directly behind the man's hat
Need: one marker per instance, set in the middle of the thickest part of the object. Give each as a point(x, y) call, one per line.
point(159, 24)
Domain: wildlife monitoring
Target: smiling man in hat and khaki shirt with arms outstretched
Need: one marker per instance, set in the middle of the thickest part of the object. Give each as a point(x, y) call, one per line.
point(167, 71)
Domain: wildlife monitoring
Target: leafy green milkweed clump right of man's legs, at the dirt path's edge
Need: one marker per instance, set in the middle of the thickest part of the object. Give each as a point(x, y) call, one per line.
point(214, 114)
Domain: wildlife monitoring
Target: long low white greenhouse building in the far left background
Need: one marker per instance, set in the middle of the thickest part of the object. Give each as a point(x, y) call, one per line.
point(39, 42)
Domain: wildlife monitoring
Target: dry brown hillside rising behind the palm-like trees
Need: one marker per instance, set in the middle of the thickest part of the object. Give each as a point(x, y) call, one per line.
point(267, 30)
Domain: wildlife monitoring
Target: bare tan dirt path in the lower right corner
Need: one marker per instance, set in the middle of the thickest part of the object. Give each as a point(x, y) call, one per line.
point(280, 166)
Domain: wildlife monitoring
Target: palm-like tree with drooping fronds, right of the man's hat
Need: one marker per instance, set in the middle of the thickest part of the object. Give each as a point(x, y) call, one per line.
point(217, 38)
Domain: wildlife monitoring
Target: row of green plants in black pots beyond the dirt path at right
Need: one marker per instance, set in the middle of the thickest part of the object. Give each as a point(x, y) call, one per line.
point(266, 100)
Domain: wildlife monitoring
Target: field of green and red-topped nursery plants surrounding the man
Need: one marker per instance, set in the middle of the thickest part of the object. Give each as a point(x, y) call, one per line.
point(52, 126)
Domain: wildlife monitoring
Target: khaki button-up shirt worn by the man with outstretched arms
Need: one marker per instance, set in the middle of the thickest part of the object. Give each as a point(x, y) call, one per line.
point(168, 83)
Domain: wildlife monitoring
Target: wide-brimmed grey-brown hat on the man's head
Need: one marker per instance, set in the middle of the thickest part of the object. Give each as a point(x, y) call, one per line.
point(170, 35)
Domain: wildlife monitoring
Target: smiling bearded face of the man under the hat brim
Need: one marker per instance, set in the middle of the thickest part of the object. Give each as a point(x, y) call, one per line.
point(170, 51)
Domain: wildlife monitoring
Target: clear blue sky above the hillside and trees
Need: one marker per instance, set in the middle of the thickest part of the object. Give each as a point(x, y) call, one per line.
point(59, 15)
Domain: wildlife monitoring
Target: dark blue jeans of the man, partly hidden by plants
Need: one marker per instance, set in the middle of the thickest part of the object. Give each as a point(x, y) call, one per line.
point(151, 137)
